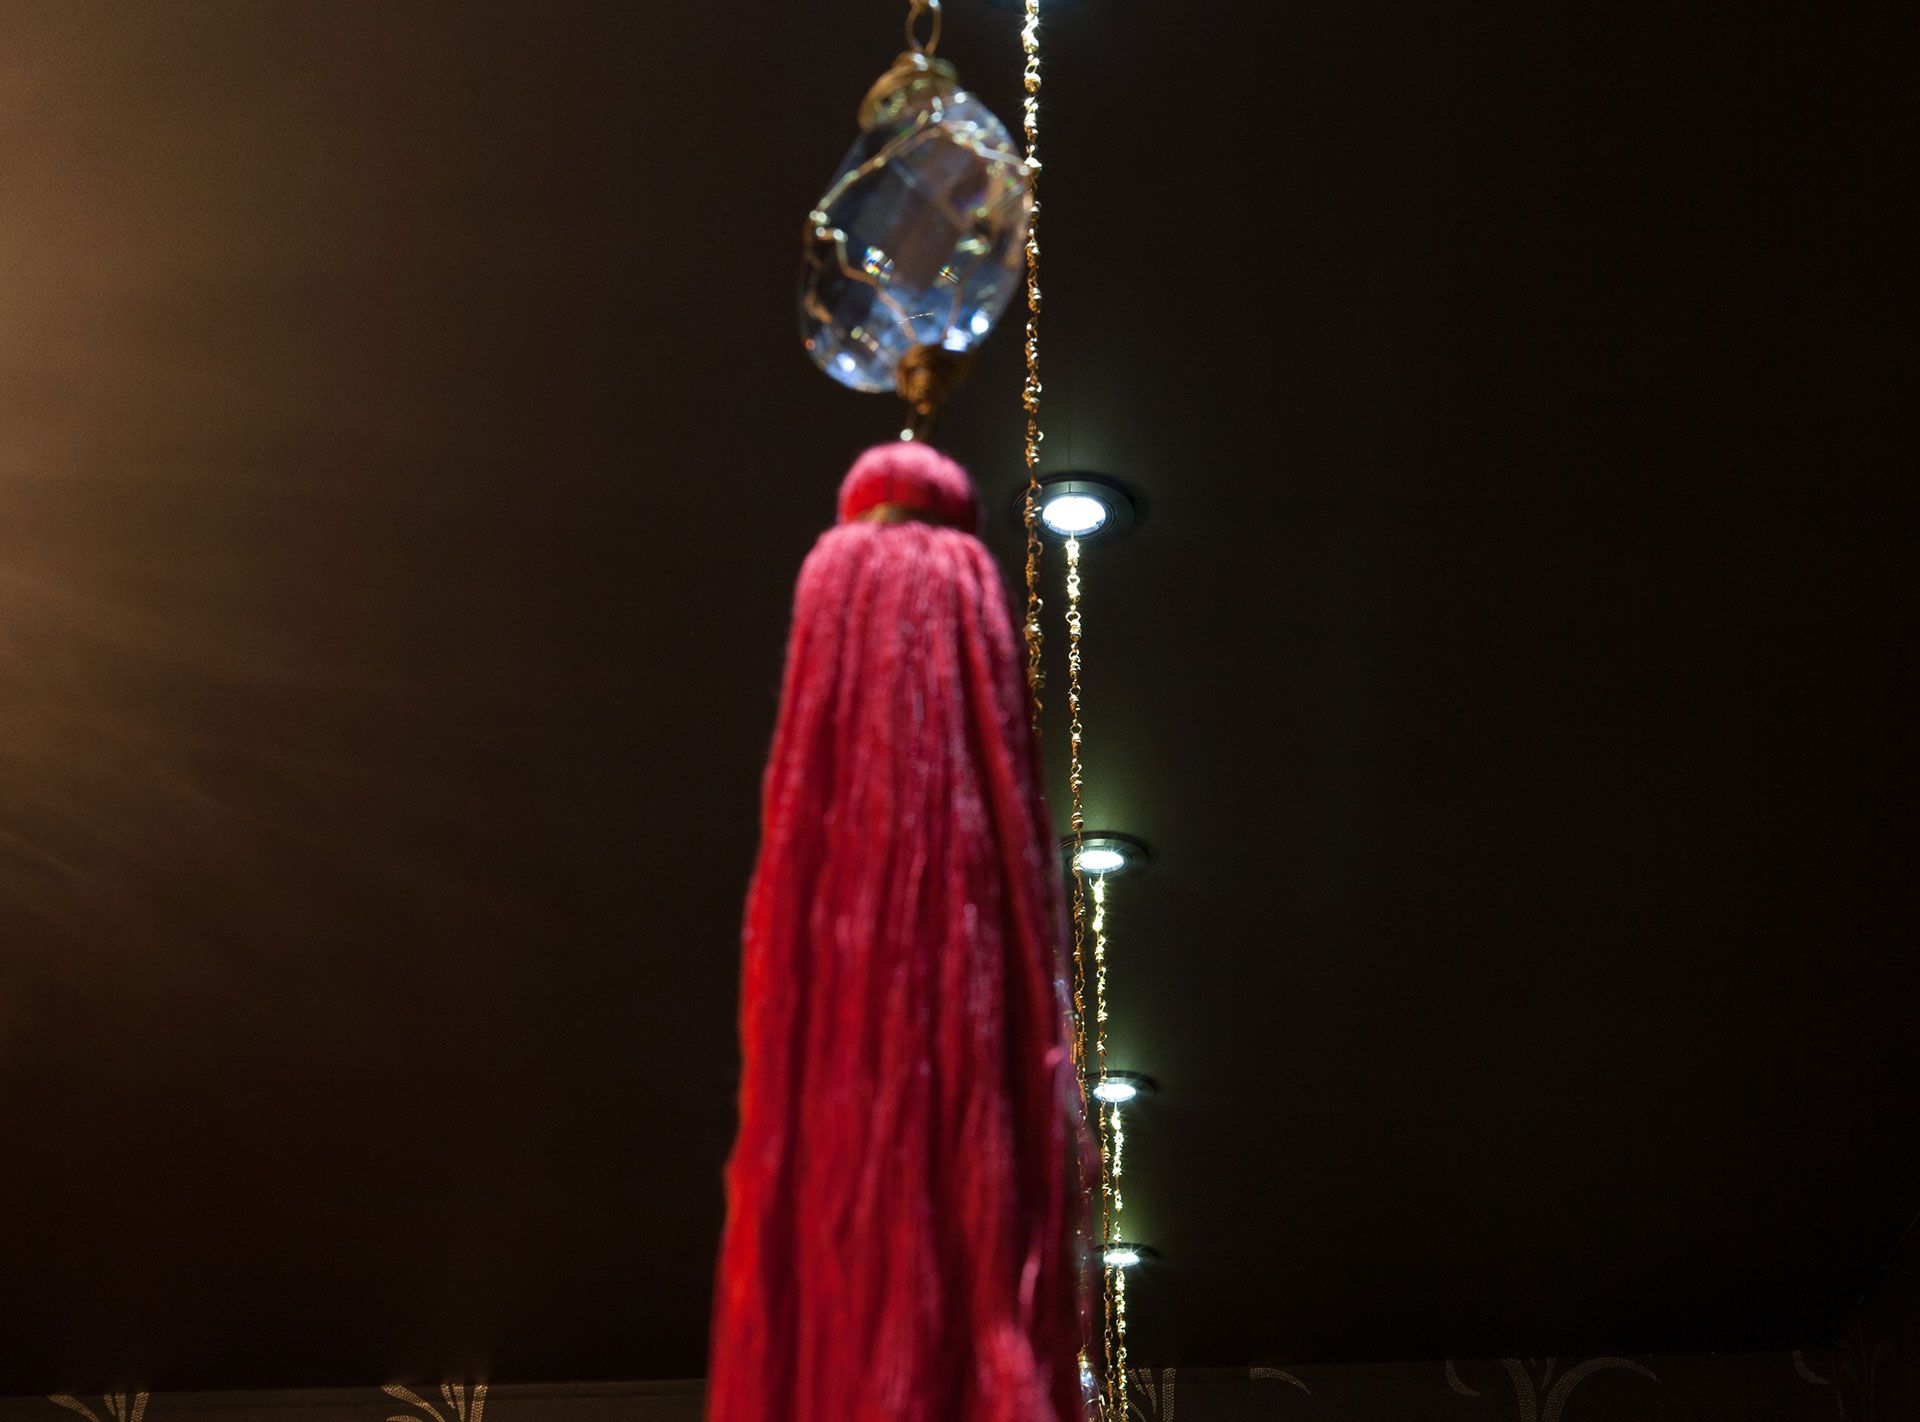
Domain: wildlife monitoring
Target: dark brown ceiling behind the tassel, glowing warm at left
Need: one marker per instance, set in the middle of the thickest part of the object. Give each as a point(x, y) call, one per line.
point(406, 458)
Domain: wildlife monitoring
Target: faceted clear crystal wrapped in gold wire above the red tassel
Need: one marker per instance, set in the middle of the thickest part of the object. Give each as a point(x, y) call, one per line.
point(919, 241)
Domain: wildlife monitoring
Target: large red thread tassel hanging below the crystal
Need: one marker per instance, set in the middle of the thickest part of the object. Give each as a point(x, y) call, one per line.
point(905, 1198)
